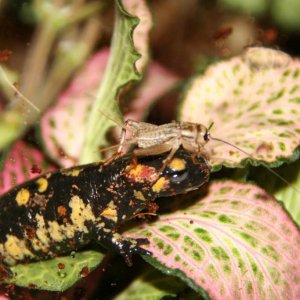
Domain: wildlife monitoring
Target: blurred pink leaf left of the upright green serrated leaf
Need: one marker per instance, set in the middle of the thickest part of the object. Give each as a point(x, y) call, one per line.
point(63, 126)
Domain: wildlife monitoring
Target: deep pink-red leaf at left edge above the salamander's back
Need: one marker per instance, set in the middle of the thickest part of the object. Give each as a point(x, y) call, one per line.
point(21, 163)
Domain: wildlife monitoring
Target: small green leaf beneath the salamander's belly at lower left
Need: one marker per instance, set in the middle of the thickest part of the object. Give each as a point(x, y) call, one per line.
point(57, 274)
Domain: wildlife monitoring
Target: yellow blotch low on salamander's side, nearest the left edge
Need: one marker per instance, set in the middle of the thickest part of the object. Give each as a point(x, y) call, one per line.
point(16, 248)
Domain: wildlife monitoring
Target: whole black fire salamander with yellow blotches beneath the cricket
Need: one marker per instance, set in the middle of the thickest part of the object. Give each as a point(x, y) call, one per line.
point(61, 211)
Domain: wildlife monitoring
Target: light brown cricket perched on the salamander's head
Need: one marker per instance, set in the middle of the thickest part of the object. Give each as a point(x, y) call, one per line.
point(157, 139)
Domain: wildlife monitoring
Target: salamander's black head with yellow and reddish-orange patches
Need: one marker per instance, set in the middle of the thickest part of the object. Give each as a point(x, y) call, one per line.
point(184, 173)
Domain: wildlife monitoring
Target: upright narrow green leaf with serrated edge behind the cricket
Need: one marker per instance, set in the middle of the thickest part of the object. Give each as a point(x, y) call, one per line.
point(120, 71)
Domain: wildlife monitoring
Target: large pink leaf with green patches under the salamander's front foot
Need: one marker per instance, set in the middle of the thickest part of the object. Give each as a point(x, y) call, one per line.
point(236, 242)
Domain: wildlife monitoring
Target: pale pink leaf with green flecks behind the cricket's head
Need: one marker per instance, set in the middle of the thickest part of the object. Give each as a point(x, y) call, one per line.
point(253, 101)
